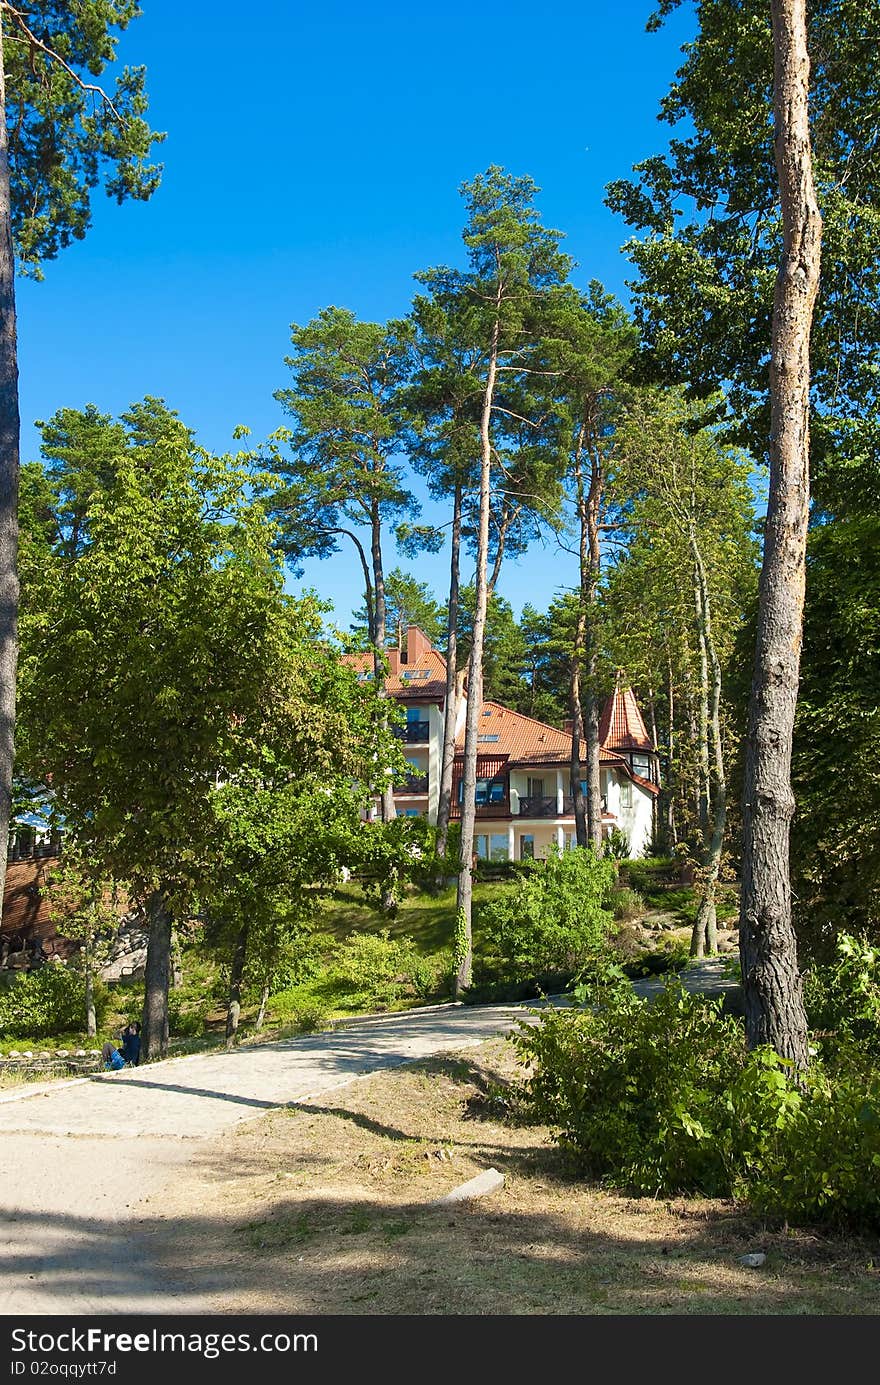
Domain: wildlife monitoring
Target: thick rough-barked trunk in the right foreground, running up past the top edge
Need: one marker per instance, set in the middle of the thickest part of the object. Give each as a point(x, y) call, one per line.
point(768, 951)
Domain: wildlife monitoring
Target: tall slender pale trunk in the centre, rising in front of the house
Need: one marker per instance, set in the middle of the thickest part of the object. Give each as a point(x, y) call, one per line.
point(475, 690)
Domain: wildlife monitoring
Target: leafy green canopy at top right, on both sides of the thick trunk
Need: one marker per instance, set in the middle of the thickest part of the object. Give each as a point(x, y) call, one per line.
point(710, 222)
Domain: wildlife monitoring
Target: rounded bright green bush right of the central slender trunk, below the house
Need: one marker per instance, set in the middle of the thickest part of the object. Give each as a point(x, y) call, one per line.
point(554, 920)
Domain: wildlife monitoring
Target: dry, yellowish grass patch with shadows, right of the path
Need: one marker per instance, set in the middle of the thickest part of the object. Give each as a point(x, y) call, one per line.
point(324, 1210)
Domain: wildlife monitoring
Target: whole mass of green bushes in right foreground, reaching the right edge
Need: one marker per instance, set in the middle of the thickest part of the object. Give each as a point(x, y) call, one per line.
point(665, 1099)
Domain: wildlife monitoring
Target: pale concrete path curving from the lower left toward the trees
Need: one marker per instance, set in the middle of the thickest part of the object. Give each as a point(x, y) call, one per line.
point(85, 1161)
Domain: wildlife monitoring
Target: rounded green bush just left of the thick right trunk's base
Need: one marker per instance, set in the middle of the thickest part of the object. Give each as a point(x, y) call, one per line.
point(656, 1098)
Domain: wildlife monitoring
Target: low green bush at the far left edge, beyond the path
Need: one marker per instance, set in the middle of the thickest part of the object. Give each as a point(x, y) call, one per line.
point(49, 1001)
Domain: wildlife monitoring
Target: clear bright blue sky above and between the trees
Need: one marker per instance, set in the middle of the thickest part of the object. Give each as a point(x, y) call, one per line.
point(314, 157)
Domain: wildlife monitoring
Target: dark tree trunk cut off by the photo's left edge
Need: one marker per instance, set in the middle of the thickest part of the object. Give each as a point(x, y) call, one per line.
point(9, 490)
